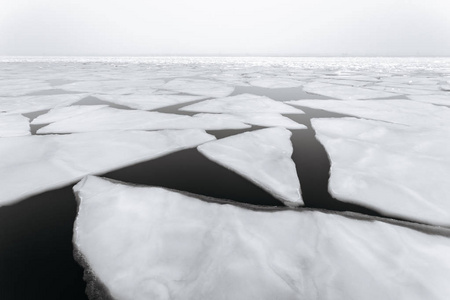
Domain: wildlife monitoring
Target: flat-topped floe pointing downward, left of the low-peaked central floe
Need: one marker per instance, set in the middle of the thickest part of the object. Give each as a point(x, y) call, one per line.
point(149, 102)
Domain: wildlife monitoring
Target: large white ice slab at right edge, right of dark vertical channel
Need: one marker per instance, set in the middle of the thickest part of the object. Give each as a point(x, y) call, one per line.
point(398, 170)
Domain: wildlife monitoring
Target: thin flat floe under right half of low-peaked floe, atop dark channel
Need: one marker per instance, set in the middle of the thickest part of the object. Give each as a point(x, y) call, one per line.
point(268, 120)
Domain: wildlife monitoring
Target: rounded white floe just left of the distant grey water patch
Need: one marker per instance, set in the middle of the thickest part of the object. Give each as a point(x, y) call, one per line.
point(199, 87)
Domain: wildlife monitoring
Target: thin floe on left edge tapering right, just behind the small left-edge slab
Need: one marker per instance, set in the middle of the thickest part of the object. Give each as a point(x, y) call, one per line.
point(25, 104)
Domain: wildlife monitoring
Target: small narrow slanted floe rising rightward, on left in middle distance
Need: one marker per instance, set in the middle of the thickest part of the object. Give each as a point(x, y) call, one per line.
point(64, 113)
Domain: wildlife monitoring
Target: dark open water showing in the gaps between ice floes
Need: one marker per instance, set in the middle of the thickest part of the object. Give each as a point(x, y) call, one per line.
point(36, 253)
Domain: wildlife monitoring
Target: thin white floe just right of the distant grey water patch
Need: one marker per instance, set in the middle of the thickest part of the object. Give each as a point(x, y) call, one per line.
point(344, 92)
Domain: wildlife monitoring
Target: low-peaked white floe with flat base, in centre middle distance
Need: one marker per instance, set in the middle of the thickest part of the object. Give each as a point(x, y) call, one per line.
point(243, 103)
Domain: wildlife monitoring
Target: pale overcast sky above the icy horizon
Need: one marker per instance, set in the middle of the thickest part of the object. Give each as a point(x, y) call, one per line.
point(225, 27)
